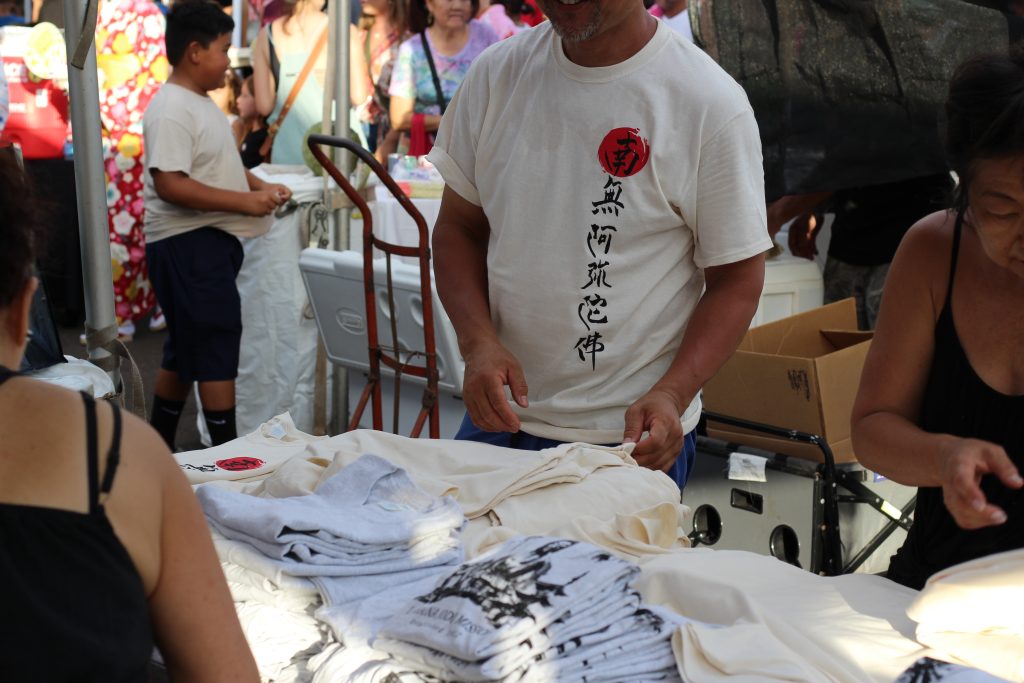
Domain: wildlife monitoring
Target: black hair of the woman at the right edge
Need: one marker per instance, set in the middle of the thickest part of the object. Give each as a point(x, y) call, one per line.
point(985, 115)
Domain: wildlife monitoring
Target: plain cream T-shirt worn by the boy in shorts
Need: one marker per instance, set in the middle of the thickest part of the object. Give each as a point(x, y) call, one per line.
point(186, 132)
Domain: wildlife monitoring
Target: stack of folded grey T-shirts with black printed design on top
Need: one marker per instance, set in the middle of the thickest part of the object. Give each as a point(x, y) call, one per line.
point(535, 609)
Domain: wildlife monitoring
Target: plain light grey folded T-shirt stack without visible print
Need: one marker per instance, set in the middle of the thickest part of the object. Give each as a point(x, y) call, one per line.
point(367, 529)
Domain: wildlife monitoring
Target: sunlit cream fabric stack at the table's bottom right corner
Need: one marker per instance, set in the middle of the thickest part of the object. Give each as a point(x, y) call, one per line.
point(974, 612)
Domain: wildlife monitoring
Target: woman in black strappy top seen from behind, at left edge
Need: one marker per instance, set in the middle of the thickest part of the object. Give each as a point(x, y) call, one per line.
point(104, 549)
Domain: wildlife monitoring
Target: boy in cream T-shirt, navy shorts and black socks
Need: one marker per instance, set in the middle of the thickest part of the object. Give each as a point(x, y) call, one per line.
point(199, 200)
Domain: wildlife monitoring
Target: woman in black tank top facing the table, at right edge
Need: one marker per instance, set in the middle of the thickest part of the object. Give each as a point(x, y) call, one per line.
point(942, 400)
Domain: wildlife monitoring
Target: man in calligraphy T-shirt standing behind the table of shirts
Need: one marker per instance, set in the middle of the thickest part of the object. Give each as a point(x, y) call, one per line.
point(602, 234)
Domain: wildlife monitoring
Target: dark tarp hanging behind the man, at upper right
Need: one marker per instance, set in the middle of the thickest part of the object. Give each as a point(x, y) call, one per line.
point(846, 93)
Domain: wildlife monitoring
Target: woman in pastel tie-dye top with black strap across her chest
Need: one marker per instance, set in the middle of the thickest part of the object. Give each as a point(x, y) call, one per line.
point(433, 65)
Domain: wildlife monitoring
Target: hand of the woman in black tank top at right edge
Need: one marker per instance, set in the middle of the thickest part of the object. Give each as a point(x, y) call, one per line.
point(963, 467)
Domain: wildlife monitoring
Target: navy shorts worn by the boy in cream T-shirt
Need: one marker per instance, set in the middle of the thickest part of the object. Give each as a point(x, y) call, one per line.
point(193, 276)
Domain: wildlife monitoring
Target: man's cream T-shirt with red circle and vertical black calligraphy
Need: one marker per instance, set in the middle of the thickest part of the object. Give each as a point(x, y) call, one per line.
point(608, 190)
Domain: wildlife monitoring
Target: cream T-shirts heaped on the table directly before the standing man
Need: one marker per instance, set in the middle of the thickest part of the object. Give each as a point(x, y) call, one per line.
point(527, 493)
